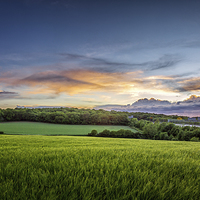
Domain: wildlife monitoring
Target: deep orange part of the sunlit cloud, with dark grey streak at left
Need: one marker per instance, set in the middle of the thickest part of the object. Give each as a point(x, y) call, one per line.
point(78, 81)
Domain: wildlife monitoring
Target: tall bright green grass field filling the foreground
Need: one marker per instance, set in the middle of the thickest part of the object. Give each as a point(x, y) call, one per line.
point(42, 167)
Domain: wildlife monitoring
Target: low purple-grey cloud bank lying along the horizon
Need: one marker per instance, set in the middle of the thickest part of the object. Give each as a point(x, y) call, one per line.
point(151, 105)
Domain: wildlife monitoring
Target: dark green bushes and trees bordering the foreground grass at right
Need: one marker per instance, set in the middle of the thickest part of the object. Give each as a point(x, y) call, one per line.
point(155, 131)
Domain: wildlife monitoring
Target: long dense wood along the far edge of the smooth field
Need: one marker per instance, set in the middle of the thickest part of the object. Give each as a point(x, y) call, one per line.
point(65, 116)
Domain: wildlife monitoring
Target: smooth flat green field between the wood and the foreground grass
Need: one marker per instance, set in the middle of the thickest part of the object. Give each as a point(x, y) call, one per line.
point(36, 128)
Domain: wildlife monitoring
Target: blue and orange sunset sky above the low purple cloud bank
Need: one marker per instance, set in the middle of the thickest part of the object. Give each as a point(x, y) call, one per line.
point(86, 53)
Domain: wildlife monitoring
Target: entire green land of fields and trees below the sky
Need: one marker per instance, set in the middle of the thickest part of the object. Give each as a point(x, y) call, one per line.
point(120, 158)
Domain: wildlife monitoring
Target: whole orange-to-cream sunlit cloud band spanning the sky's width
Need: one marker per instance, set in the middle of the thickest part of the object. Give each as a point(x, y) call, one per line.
point(86, 81)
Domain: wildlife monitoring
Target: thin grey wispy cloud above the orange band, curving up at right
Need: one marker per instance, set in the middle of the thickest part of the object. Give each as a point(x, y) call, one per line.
point(103, 65)
